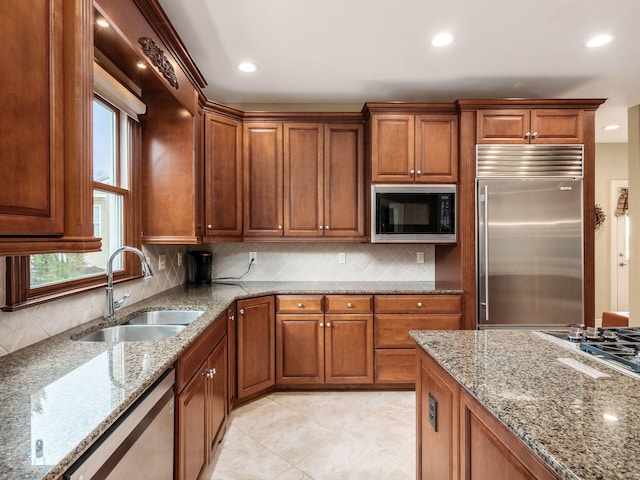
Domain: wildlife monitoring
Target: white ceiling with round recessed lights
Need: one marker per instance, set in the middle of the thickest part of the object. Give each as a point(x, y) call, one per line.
point(352, 51)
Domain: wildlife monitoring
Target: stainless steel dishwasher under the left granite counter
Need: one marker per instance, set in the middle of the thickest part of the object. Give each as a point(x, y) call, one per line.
point(139, 445)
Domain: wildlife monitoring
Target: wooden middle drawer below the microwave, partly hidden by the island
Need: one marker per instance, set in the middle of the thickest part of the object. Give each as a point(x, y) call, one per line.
point(392, 331)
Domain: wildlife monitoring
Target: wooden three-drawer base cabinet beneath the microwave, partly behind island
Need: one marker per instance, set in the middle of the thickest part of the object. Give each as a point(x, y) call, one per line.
point(395, 317)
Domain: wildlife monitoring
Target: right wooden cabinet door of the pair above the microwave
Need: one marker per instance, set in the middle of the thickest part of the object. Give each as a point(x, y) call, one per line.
point(436, 149)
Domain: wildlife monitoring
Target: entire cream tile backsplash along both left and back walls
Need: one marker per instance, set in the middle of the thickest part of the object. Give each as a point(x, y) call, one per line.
point(275, 262)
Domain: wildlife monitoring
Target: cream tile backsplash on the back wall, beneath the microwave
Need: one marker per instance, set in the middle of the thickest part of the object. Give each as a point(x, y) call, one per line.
point(319, 261)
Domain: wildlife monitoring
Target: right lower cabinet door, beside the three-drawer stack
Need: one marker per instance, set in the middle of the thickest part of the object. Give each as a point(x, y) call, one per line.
point(348, 349)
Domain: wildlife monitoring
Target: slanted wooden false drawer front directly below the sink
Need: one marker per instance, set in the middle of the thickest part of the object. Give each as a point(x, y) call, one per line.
point(191, 360)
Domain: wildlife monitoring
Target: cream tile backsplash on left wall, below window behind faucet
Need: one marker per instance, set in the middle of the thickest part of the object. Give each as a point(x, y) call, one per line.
point(25, 327)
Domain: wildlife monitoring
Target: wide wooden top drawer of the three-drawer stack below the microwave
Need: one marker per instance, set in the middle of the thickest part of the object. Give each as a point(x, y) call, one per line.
point(418, 304)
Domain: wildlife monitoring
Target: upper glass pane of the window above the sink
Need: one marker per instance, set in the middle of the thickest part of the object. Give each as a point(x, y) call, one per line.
point(104, 143)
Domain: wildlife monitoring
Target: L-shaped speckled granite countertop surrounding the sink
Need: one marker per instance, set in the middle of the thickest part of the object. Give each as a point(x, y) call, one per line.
point(67, 393)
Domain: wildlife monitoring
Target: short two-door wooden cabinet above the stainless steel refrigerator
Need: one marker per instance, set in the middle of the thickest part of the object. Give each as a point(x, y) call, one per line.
point(530, 126)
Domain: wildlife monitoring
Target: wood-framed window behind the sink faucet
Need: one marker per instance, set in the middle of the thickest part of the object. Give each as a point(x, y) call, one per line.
point(116, 144)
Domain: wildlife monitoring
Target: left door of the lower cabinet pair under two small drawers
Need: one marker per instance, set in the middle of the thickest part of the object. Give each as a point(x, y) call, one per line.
point(299, 349)
